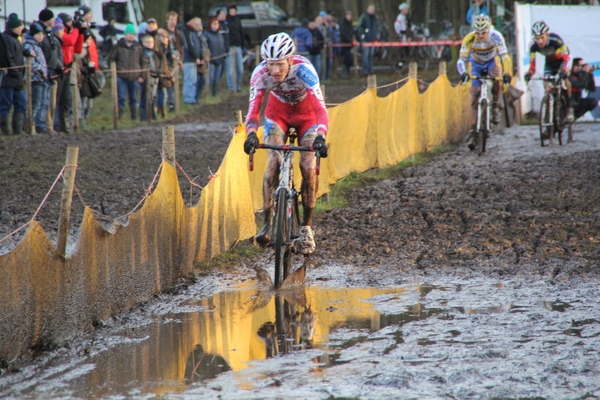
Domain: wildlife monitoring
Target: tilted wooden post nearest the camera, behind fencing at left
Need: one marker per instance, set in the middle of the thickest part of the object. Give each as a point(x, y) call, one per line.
point(65, 202)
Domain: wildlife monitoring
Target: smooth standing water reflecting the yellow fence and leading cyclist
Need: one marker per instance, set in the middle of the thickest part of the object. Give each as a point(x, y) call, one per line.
point(248, 324)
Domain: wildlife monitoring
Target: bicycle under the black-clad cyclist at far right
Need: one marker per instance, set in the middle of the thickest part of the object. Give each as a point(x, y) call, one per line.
point(553, 110)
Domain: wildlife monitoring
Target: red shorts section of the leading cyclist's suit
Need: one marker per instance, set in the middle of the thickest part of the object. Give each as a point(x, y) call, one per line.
point(279, 117)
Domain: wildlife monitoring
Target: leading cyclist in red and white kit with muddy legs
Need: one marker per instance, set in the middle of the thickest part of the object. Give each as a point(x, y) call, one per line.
point(295, 100)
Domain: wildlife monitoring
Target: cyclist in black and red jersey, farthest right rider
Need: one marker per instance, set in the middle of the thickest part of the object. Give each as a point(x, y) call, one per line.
point(557, 58)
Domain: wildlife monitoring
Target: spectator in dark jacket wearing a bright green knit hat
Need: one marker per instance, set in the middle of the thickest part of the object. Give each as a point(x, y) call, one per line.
point(129, 57)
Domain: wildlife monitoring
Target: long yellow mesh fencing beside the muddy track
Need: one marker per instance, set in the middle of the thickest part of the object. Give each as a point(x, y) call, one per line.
point(47, 299)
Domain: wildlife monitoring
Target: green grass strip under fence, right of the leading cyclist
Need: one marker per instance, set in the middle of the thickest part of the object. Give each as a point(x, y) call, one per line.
point(337, 193)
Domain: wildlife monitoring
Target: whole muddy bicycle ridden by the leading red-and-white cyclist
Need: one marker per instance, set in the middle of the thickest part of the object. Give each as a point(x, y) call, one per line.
point(286, 216)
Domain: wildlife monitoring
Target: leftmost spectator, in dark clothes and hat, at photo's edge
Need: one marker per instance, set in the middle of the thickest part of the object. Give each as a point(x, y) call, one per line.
point(12, 93)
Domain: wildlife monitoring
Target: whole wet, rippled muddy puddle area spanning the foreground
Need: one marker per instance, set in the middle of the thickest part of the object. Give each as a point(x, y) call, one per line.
point(444, 339)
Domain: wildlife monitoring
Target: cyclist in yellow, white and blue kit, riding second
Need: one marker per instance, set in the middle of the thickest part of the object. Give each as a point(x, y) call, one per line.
point(484, 50)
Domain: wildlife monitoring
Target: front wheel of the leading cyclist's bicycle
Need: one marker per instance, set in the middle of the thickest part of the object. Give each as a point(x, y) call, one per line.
point(283, 225)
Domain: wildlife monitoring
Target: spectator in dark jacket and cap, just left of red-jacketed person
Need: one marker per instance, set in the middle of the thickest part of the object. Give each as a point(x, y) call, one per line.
point(51, 47)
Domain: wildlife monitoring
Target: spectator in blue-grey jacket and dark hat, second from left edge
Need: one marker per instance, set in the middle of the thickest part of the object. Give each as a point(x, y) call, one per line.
point(39, 75)
